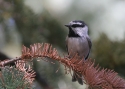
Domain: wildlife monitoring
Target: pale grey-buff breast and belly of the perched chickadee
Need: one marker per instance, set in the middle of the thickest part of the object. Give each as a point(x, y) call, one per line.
point(78, 45)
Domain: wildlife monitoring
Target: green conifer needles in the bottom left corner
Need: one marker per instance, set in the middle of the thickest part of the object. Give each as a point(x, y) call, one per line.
point(12, 78)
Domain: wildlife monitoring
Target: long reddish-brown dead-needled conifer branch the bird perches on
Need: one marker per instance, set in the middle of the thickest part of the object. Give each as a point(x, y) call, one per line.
point(94, 76)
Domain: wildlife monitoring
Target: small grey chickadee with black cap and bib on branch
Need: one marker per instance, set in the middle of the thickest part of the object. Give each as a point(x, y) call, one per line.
point(78, 41)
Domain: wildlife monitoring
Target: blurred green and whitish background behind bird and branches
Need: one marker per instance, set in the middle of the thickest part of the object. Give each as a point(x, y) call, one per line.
point(24, 22)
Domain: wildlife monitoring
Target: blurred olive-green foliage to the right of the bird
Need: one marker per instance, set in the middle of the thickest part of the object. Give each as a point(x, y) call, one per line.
point(109, 54)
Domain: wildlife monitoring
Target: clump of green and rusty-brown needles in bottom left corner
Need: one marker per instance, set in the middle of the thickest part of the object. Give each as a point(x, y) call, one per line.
point(18, 77)
